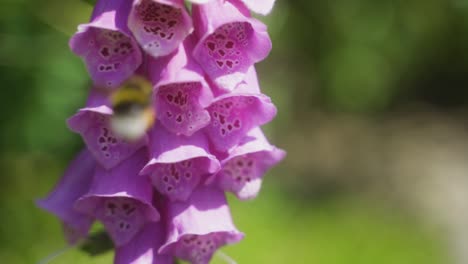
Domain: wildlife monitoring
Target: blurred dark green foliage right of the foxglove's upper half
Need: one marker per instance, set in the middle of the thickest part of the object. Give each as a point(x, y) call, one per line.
point(368, 56)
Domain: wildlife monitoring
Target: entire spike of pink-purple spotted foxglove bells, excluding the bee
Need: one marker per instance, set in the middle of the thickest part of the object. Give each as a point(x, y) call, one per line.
point(163, 195)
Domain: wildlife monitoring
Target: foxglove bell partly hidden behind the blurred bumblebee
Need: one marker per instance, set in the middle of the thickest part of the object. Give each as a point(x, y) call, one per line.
point(93, 124)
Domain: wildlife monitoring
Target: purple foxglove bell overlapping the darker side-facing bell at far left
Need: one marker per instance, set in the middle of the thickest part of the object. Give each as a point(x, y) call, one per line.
point(121, 199)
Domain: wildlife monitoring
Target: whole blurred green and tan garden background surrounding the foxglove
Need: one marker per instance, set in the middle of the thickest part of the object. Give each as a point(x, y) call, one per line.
point(372, 99)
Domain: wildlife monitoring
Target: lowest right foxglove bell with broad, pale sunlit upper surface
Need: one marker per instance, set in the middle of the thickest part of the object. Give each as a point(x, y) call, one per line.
point(198, 227)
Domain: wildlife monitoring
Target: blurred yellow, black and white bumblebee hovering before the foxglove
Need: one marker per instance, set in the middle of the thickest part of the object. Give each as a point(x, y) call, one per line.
point(133, 111)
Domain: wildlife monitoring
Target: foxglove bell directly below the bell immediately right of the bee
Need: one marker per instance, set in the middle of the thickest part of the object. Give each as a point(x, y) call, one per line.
point(178, 163)
